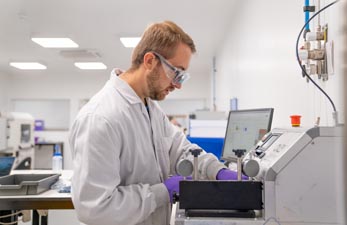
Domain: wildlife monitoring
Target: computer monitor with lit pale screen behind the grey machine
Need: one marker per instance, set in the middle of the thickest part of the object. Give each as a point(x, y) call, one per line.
point(244, 129)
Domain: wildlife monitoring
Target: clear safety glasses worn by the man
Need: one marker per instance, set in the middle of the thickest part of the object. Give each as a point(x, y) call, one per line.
point(178, 76)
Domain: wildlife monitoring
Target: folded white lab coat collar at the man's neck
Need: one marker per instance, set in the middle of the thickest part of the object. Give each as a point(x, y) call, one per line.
point(124, 89)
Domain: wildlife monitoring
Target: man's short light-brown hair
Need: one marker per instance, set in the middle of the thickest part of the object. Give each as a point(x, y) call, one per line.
point(162, 38)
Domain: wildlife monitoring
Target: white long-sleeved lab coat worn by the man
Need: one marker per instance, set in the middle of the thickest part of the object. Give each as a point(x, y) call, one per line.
point(121, 156)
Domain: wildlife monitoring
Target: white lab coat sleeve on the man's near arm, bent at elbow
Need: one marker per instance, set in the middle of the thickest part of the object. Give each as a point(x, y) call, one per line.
point(97, 194)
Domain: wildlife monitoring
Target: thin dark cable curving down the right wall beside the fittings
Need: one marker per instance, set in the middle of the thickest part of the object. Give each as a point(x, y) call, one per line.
point(298, 58)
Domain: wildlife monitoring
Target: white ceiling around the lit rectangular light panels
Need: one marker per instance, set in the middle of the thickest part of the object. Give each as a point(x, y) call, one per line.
point(96, 26)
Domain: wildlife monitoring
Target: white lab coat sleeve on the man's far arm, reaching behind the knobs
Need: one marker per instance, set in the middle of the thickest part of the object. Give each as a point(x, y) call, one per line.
point(209, 165)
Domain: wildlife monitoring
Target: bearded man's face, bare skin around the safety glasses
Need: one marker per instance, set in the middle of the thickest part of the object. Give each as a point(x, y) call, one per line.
point(159, 83)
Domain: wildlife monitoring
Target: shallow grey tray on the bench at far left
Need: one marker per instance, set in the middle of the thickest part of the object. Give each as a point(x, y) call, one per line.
point(26, 184)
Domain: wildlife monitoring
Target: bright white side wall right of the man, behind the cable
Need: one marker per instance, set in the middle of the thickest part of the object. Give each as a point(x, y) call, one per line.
point(257, 63)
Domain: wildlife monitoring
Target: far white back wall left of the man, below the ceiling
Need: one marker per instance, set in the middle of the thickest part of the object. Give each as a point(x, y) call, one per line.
point(73, 87)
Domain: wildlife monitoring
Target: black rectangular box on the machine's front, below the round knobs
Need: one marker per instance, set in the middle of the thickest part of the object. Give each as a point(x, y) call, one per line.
point(237, 198)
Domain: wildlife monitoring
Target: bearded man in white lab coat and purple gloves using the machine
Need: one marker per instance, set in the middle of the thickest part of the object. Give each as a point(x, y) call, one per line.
point(124, 147)
